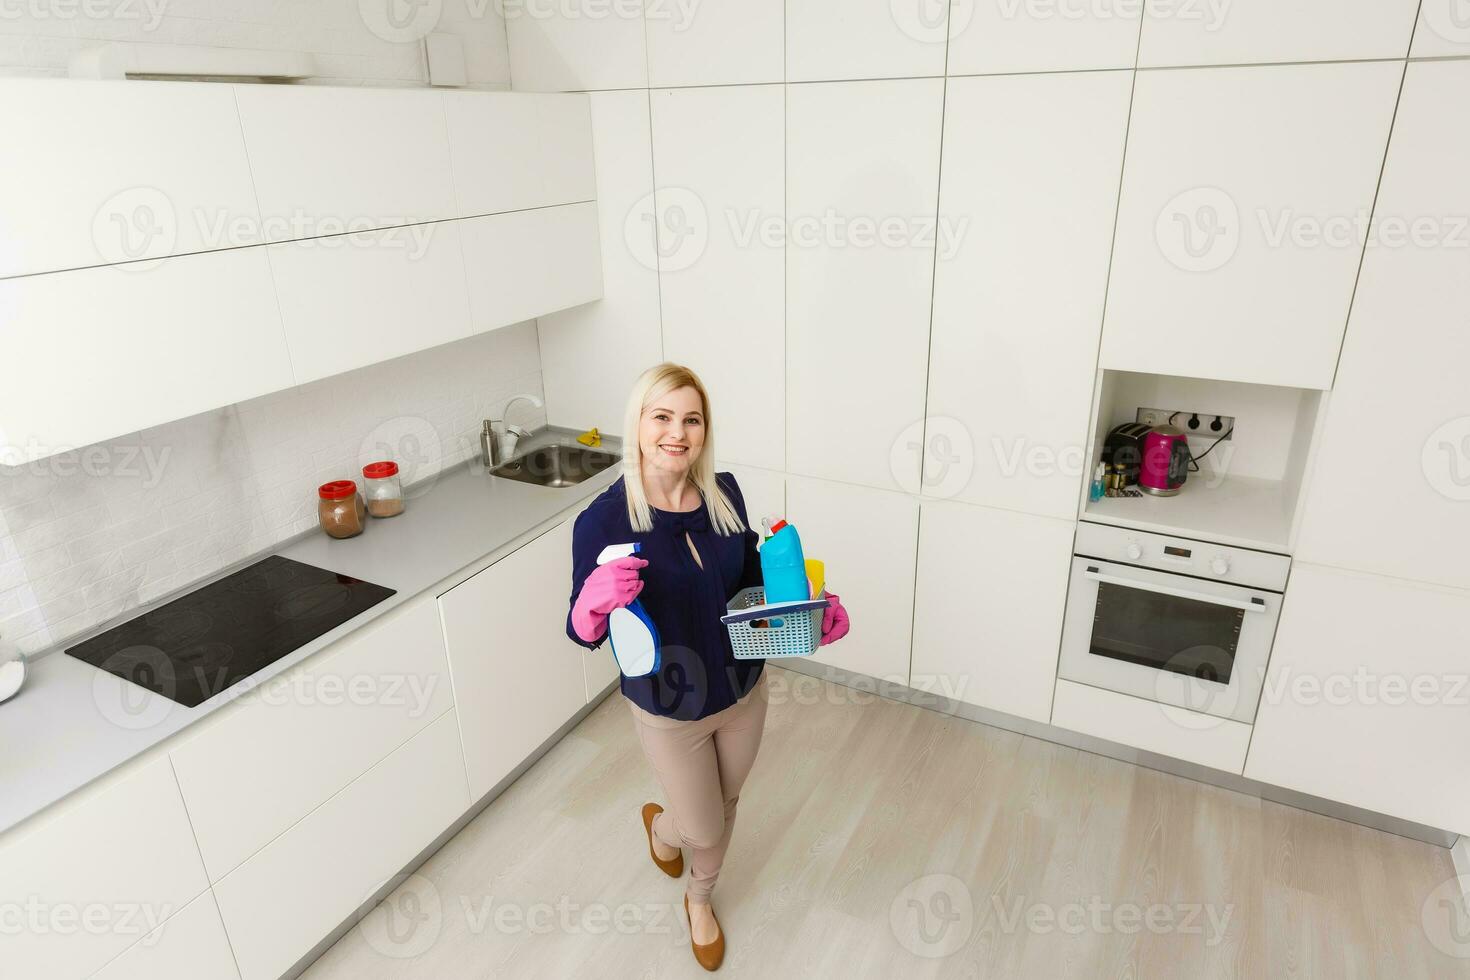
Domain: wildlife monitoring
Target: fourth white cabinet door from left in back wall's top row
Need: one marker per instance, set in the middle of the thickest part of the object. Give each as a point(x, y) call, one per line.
point(993, 39)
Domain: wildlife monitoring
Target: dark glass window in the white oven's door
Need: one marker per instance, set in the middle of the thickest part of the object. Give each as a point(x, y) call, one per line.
point(1166, 633)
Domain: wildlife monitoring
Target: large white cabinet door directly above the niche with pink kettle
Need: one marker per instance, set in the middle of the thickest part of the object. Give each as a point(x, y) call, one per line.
point(1238, 233)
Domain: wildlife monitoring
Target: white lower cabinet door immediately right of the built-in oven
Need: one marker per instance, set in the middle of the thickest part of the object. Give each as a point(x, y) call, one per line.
point(1365, 700)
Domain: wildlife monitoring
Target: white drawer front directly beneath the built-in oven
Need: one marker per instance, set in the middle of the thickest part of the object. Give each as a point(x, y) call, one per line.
point(1155, 728)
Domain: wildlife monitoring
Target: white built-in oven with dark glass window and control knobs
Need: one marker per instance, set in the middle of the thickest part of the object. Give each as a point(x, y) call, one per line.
point(1172, 621)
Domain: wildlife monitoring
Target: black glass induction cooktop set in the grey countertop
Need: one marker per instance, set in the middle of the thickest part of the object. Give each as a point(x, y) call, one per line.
point(204, 643)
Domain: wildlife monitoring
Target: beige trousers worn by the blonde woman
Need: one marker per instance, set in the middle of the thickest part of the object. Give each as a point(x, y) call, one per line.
point(702, 766)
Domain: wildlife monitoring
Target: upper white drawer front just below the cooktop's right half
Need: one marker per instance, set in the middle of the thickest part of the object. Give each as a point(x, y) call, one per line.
point(264, 763)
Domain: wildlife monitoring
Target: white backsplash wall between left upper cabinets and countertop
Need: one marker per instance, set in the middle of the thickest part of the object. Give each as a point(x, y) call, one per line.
point(90, 534)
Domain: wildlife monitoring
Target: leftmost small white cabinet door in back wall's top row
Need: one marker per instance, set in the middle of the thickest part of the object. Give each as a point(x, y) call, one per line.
point(577, 46)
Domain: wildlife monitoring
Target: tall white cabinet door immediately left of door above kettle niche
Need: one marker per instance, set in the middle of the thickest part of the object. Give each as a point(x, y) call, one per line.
point(1018, 305)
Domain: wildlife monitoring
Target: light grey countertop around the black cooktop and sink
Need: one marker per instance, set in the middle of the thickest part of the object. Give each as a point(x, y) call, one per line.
point(73, 724)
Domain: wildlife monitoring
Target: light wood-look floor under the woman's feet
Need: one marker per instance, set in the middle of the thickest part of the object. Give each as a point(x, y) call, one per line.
point(880, 840)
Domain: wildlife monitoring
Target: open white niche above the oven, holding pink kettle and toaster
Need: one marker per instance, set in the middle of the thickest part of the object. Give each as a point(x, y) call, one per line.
point(1247, 490)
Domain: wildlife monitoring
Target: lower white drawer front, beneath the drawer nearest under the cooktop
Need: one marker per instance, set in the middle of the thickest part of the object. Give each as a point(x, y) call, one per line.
point(290, 897)
